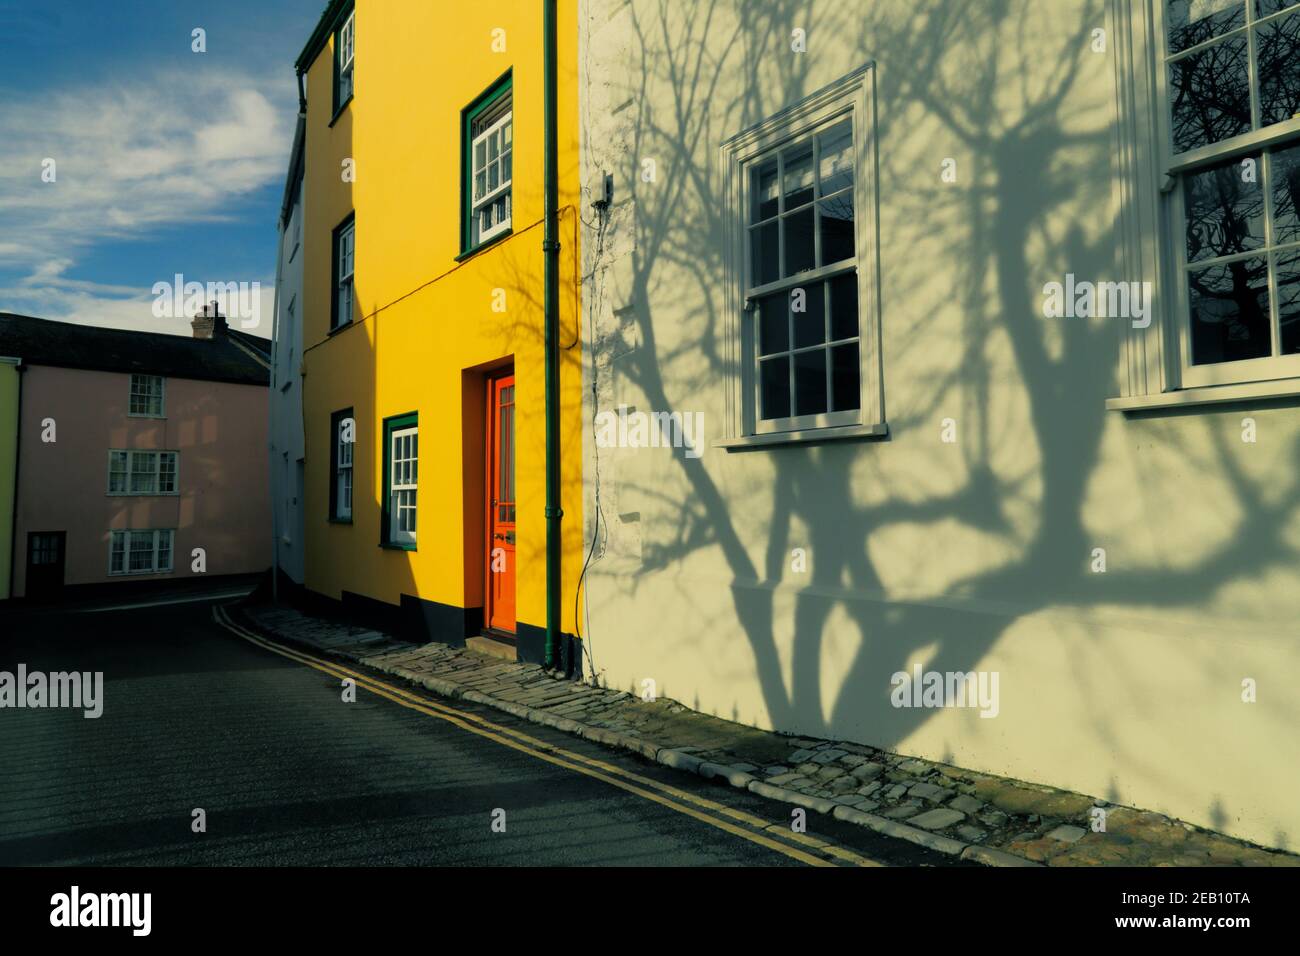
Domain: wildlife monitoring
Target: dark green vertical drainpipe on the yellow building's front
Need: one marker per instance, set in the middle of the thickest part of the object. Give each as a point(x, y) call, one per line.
point(552, 309)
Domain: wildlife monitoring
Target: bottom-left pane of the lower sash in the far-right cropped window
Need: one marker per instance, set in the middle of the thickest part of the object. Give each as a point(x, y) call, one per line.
point(1230, 312)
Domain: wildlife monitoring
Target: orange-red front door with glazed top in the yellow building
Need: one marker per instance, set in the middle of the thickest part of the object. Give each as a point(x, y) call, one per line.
point(501, 504)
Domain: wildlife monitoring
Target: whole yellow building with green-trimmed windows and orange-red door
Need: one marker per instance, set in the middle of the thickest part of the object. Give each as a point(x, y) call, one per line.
point(423, 321)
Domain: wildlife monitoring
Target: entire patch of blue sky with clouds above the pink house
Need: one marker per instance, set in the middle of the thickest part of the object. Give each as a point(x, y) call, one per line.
point(166, 161)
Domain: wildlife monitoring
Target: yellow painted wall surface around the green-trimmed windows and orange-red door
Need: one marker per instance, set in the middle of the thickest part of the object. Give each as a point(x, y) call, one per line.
point(422, 319)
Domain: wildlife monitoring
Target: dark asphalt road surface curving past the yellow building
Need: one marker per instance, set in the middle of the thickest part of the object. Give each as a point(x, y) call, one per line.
point(291, 775)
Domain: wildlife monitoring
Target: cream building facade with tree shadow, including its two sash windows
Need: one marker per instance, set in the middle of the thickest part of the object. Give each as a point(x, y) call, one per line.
point(993, 313)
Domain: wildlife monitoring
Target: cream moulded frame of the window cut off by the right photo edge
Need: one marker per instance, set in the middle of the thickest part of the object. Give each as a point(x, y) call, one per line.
point(1155, 370)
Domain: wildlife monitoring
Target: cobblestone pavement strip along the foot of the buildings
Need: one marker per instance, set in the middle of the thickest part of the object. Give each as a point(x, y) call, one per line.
point(990, 820)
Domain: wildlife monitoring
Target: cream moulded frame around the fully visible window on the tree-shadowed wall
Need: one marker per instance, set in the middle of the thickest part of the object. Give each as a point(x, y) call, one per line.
point(853, 97)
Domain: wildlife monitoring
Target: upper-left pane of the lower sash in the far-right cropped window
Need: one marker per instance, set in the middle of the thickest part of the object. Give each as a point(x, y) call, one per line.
point(1225, 215)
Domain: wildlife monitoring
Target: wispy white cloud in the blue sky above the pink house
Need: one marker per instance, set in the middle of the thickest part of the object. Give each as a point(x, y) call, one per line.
point(172, 149)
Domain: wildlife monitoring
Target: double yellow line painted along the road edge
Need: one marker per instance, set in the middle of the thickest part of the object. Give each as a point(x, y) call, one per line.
point(777, 837)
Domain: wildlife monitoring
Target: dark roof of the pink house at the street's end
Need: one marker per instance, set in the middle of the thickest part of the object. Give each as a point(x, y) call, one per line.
point(231, 357)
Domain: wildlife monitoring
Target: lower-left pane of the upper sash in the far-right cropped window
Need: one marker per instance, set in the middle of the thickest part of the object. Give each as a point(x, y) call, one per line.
point(1212, 96)
